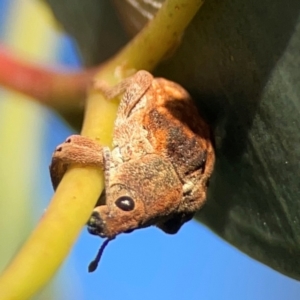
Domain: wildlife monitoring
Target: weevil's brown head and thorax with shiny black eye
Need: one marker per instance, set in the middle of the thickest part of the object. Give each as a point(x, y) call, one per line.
point(141, 193)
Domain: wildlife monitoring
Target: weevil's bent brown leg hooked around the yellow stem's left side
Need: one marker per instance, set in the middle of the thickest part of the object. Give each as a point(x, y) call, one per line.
point(79, 150)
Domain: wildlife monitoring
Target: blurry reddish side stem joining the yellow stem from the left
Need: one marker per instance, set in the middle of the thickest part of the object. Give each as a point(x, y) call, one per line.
point(62, 91)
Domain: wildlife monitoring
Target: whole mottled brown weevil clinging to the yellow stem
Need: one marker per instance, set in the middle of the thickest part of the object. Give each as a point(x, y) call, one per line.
point(161, 159)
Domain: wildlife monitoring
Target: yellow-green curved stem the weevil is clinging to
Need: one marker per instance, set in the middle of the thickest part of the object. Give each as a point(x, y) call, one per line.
point(77, 193)
